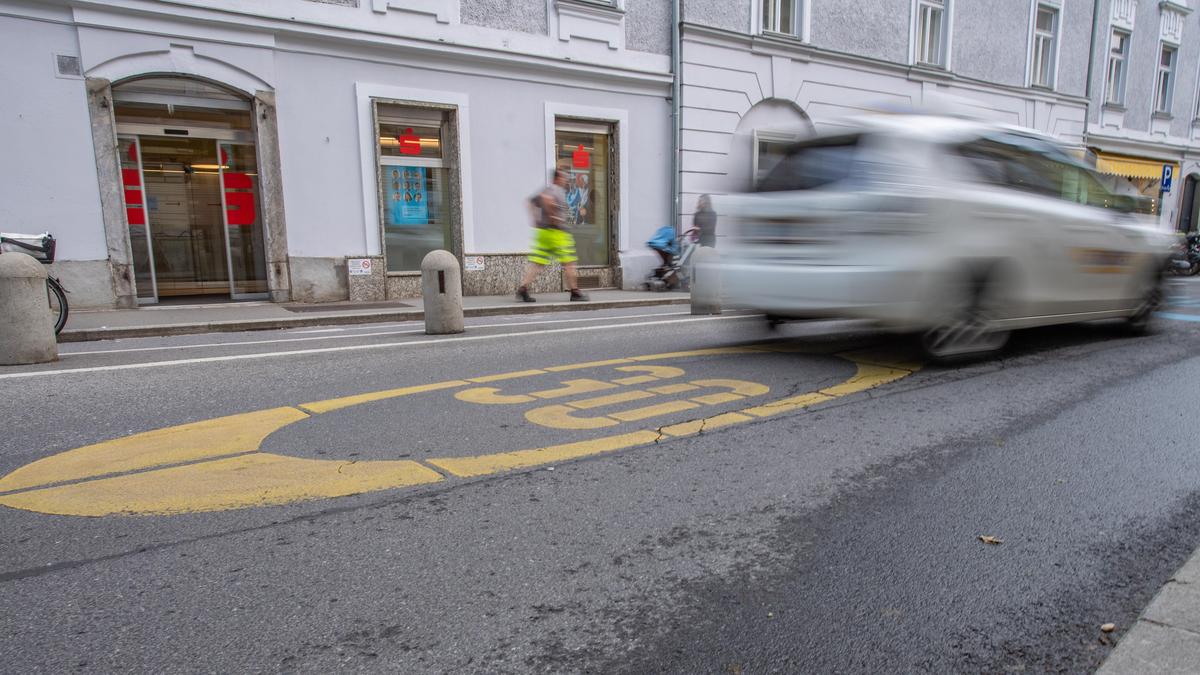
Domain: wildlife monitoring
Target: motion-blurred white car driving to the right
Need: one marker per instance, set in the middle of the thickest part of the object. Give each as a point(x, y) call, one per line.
point(957, 230)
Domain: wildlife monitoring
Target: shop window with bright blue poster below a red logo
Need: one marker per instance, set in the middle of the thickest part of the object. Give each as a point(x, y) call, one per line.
point(416, 184)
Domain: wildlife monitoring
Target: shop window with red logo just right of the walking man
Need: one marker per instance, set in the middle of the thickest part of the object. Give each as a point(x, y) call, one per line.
point(585, 151)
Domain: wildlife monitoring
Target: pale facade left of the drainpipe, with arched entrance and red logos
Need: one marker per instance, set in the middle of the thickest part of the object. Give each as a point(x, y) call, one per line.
point(316, 151)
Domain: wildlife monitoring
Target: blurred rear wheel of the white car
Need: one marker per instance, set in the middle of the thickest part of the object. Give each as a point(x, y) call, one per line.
point(968, 331)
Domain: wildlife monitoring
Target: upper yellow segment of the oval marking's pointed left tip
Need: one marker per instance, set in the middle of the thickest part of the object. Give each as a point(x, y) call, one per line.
point(163, 447)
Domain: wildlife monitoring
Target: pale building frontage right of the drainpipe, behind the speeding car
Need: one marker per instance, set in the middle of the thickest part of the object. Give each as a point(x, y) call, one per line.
point(759, 74)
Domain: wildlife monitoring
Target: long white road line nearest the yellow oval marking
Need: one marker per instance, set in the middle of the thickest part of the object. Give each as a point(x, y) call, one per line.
point(362, 348)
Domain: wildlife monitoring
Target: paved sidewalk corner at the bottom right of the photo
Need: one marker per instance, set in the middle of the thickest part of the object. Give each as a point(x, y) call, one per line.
point(1167, 636)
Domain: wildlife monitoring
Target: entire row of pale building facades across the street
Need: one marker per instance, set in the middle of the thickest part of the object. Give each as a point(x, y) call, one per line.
point(315, 151)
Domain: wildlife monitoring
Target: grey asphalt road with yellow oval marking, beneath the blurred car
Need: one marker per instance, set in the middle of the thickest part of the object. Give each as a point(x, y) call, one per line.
point(838, 536)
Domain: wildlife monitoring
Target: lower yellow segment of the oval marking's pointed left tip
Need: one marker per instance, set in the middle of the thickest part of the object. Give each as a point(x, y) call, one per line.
point(239, 482)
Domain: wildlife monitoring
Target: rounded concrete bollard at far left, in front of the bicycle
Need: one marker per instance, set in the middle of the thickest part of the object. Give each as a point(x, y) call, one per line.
point(27, 331)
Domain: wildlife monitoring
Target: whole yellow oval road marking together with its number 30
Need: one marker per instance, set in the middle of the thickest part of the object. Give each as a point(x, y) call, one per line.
point(218, 464)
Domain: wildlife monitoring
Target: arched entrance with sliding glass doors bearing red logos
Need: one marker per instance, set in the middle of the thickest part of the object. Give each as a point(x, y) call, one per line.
point(191, 183)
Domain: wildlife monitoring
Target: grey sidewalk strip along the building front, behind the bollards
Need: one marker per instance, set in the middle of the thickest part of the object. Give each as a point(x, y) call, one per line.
point(225, 318)
